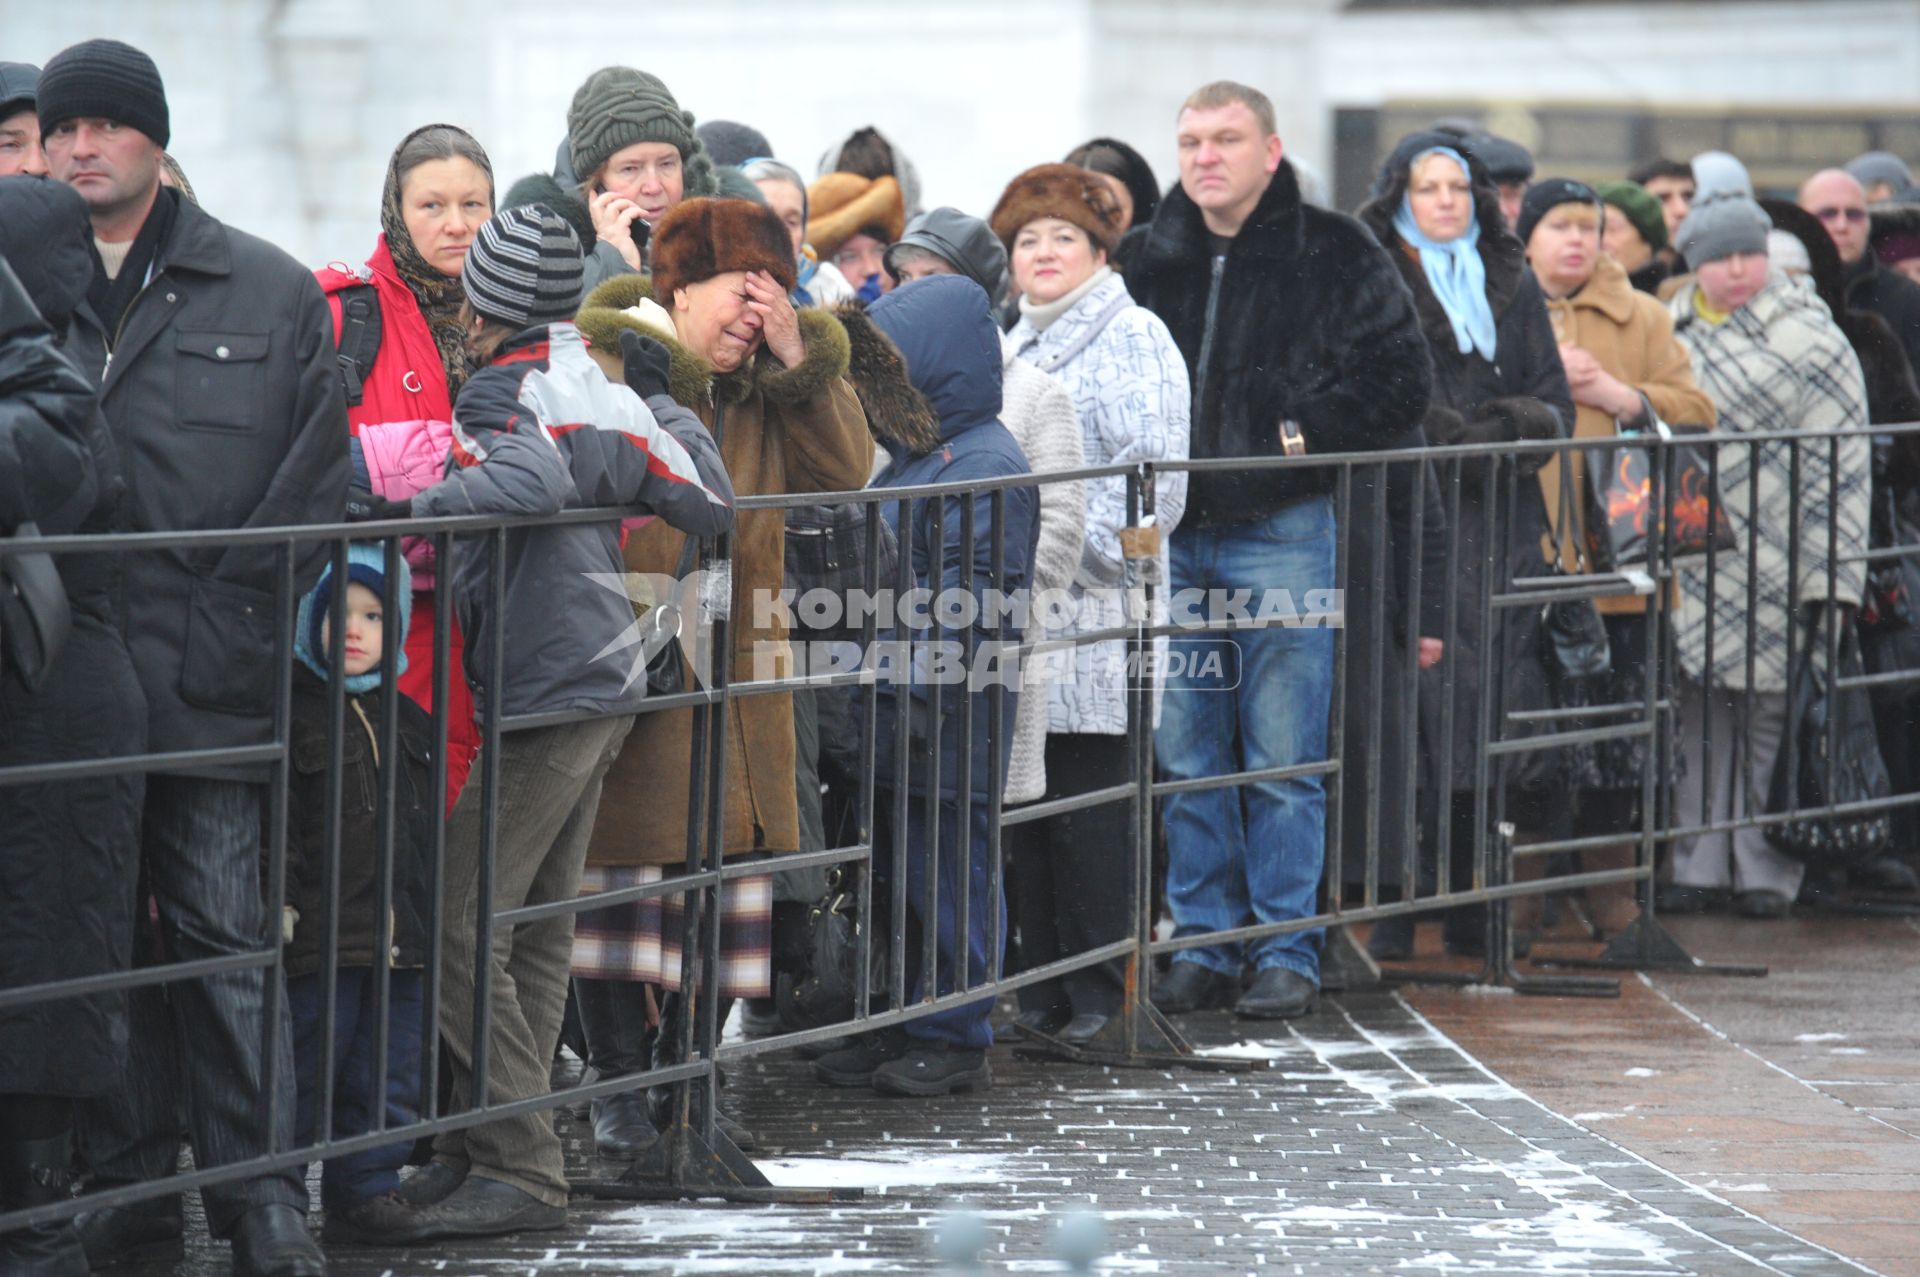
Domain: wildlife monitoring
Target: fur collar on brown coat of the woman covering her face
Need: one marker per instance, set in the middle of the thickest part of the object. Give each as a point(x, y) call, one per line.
point(692, 381)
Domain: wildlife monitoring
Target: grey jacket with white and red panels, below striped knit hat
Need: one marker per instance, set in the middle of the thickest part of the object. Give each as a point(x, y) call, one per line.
point(535, 433)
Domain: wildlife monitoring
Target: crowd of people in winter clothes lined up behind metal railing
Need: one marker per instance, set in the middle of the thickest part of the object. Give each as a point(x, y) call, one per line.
point(671, 320)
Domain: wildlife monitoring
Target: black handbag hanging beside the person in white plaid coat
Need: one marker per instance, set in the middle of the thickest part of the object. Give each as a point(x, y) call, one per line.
point(1831, 758)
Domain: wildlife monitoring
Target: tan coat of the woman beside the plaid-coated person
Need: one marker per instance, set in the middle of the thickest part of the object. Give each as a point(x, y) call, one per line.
point(1633, 339)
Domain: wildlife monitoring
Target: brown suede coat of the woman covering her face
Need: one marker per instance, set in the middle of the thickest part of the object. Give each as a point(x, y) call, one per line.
point(780, 431)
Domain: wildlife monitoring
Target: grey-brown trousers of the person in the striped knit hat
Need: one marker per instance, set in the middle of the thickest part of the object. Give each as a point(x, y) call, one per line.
point(550, 786)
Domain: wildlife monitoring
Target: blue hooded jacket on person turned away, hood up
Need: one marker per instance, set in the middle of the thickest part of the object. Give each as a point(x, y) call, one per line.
point(951, 347)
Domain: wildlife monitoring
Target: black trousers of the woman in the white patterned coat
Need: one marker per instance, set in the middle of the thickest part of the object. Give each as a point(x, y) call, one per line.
point(1074, 879)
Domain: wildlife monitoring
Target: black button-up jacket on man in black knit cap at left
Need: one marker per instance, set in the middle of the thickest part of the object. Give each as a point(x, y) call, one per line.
point(226, 404)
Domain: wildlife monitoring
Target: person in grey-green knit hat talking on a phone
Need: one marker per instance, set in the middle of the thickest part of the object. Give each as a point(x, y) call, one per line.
point(636, 157)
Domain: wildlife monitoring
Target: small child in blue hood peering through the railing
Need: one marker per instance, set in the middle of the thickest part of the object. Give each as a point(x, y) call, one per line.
point(356, 1190)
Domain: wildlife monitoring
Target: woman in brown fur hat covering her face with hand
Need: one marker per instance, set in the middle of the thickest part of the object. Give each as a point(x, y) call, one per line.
point(771, 383)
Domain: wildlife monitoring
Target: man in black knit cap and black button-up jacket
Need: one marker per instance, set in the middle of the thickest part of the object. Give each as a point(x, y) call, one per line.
point(216, 366)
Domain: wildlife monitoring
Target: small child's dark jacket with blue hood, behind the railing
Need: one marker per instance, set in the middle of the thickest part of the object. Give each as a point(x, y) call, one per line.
point(360, 800)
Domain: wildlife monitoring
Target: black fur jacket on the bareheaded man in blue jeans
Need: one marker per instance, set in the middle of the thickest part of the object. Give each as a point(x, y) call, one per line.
point(1305, 320)
